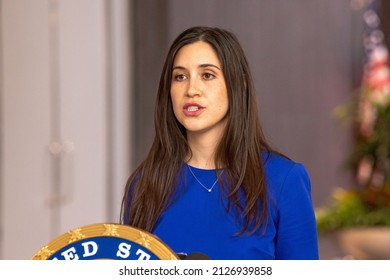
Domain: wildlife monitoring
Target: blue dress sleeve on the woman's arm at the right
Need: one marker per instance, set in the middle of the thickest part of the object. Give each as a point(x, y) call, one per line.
point(296, 236)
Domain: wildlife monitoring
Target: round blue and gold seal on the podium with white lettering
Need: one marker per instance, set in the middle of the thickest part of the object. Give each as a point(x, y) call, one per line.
point(106, 241)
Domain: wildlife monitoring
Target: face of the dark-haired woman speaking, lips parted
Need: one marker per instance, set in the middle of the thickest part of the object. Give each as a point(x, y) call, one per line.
point(198, 90)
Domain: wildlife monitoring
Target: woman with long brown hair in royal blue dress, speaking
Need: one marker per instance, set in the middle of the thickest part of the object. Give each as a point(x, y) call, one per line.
point(210, 182)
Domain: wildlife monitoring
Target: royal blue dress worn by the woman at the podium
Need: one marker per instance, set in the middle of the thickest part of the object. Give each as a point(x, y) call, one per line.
point(197, 220)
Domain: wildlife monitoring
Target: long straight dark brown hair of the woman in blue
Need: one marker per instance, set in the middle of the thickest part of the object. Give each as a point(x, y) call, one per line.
point(151, 186)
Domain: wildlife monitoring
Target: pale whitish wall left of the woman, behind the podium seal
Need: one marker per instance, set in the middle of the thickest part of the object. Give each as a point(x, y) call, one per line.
point(65, 120)
